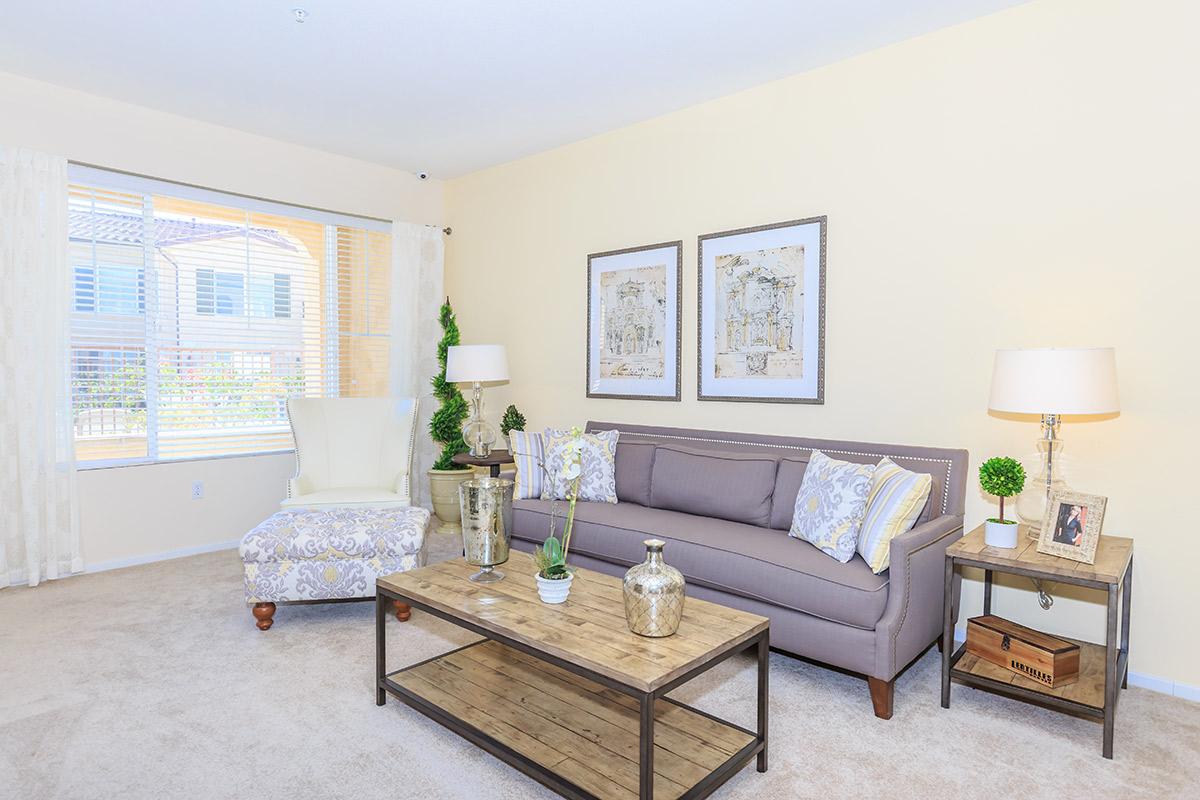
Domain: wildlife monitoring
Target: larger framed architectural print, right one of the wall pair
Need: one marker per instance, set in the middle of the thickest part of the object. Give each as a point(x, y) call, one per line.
point(761, 316)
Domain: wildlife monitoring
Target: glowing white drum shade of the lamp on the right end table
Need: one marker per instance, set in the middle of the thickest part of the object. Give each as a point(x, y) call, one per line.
point(1053, 381)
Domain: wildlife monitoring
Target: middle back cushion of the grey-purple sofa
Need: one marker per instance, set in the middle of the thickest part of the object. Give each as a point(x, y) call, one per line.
point(713, 484)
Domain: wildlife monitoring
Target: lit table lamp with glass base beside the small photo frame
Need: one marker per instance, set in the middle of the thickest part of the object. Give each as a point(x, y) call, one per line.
point(1051, 383)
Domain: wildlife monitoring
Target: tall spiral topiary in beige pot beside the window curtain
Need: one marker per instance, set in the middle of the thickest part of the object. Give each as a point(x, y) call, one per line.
point(446, 429)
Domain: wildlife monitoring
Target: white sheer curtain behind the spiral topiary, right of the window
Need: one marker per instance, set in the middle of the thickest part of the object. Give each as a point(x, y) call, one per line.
point(417, 297)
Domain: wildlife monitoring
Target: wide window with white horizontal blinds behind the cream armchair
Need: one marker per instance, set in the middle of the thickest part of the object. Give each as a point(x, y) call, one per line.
point(196, 315)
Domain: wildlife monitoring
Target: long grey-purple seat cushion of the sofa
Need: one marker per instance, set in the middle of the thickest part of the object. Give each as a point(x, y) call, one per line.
point(741, 560)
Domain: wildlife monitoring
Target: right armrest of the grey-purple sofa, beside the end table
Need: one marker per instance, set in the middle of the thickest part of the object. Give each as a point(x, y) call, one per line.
point(913, 618)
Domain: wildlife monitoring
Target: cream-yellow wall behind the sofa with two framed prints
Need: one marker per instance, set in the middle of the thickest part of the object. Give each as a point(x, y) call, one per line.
point(1024, 179)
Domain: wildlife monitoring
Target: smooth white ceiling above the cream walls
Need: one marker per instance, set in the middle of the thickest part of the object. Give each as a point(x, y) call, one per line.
point(446, 87)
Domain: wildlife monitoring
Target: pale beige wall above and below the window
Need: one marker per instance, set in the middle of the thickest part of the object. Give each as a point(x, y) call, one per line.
point(137, 513)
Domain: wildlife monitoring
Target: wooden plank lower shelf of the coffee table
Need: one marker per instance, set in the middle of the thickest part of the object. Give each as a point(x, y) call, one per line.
point(567, 732)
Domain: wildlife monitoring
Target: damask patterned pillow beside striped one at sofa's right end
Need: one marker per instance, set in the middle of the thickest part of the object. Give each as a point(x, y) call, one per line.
point(831, 506)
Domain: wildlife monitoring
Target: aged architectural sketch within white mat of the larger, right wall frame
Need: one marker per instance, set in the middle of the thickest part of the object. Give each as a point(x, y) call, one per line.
point(760, 314)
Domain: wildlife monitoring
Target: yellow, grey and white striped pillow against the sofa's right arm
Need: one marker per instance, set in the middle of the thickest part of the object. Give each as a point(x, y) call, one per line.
point(893, 506)
